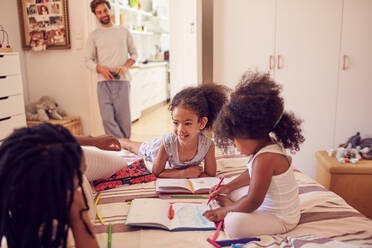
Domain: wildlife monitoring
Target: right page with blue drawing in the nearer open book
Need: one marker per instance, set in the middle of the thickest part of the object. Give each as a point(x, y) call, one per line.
point(189, 216)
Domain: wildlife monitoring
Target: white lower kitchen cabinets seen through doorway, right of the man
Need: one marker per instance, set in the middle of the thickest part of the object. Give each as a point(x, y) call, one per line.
point(149, 86)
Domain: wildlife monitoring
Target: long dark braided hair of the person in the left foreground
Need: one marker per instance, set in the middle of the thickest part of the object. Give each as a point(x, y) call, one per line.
point(39, 167)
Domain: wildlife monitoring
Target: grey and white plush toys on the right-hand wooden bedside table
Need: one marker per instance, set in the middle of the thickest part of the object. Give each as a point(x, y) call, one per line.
point(353, 150)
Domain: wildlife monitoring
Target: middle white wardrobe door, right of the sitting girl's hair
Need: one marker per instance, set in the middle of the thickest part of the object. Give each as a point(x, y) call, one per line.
point(308, 41)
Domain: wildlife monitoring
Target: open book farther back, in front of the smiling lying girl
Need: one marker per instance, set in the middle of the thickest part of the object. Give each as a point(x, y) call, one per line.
point(199, 185)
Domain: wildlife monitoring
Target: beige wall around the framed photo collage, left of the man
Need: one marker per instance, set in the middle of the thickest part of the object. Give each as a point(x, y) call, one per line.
point(61, 74)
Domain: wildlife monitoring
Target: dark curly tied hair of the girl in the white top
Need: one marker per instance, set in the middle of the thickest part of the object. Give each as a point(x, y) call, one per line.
point(256, 109)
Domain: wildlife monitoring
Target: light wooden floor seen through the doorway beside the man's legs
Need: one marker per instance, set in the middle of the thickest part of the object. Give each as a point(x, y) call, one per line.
point(152, 124)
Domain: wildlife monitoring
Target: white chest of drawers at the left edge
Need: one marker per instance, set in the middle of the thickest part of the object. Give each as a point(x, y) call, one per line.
point(12, 110)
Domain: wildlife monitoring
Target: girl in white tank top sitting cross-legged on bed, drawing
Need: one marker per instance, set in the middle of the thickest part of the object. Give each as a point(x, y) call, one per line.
point(264, 199)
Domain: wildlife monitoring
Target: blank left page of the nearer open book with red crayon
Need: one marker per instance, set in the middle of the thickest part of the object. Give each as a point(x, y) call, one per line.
point(149, 212)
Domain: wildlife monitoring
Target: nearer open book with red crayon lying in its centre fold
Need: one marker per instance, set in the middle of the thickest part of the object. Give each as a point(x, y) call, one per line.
point(151, 212)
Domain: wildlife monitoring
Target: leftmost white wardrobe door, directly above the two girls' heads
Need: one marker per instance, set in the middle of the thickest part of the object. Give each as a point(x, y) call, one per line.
point(243, 36)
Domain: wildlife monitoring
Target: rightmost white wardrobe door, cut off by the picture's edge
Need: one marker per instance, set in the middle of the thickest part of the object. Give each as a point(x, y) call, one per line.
point(355, 85)
